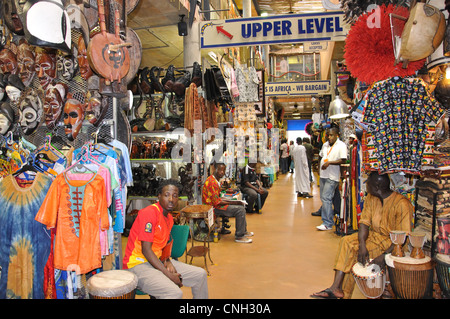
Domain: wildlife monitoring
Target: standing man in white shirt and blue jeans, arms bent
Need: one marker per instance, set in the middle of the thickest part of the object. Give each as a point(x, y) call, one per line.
point(333, 154)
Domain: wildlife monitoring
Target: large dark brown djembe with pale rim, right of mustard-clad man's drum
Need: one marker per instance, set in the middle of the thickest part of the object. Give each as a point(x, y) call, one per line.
point(411, 278)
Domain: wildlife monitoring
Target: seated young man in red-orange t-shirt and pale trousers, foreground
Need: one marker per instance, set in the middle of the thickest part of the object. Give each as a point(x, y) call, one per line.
point(149, 247)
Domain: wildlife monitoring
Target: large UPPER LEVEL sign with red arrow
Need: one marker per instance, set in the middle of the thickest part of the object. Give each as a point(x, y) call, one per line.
point(310, 27)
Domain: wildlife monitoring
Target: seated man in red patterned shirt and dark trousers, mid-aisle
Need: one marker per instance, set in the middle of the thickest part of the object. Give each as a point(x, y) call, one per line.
point(225, 208)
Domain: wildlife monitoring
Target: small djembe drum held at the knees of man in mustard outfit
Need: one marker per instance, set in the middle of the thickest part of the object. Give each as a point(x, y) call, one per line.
point(370, 279)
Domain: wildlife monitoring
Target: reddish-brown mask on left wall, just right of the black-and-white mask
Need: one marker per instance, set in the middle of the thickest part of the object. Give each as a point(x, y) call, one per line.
point(54, 103)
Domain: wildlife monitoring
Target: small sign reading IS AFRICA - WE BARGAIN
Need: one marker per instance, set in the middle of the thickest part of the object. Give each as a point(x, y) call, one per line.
point(297, 88)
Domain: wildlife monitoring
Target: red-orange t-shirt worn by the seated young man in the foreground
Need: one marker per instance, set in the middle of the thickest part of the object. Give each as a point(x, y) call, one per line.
point(150, 225)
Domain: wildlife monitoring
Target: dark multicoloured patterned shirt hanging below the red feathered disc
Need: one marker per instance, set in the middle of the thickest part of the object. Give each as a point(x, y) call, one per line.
point(400, 116)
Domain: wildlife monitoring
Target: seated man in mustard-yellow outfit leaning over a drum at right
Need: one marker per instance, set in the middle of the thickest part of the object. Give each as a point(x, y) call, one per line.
point(384, 211)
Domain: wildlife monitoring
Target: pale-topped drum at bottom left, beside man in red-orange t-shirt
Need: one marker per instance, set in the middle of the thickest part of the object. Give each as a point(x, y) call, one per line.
point(112, 284)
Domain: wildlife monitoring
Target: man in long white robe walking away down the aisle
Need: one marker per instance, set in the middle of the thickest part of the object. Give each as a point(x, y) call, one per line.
point(302, 182)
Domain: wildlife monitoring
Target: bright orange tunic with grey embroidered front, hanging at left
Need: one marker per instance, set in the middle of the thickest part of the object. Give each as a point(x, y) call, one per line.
point(78, 210)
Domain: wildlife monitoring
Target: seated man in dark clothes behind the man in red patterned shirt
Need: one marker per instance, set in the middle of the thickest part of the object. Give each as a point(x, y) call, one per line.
point(252, 186)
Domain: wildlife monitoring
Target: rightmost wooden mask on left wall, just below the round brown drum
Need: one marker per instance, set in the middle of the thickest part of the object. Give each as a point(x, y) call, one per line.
point(96, 104)
